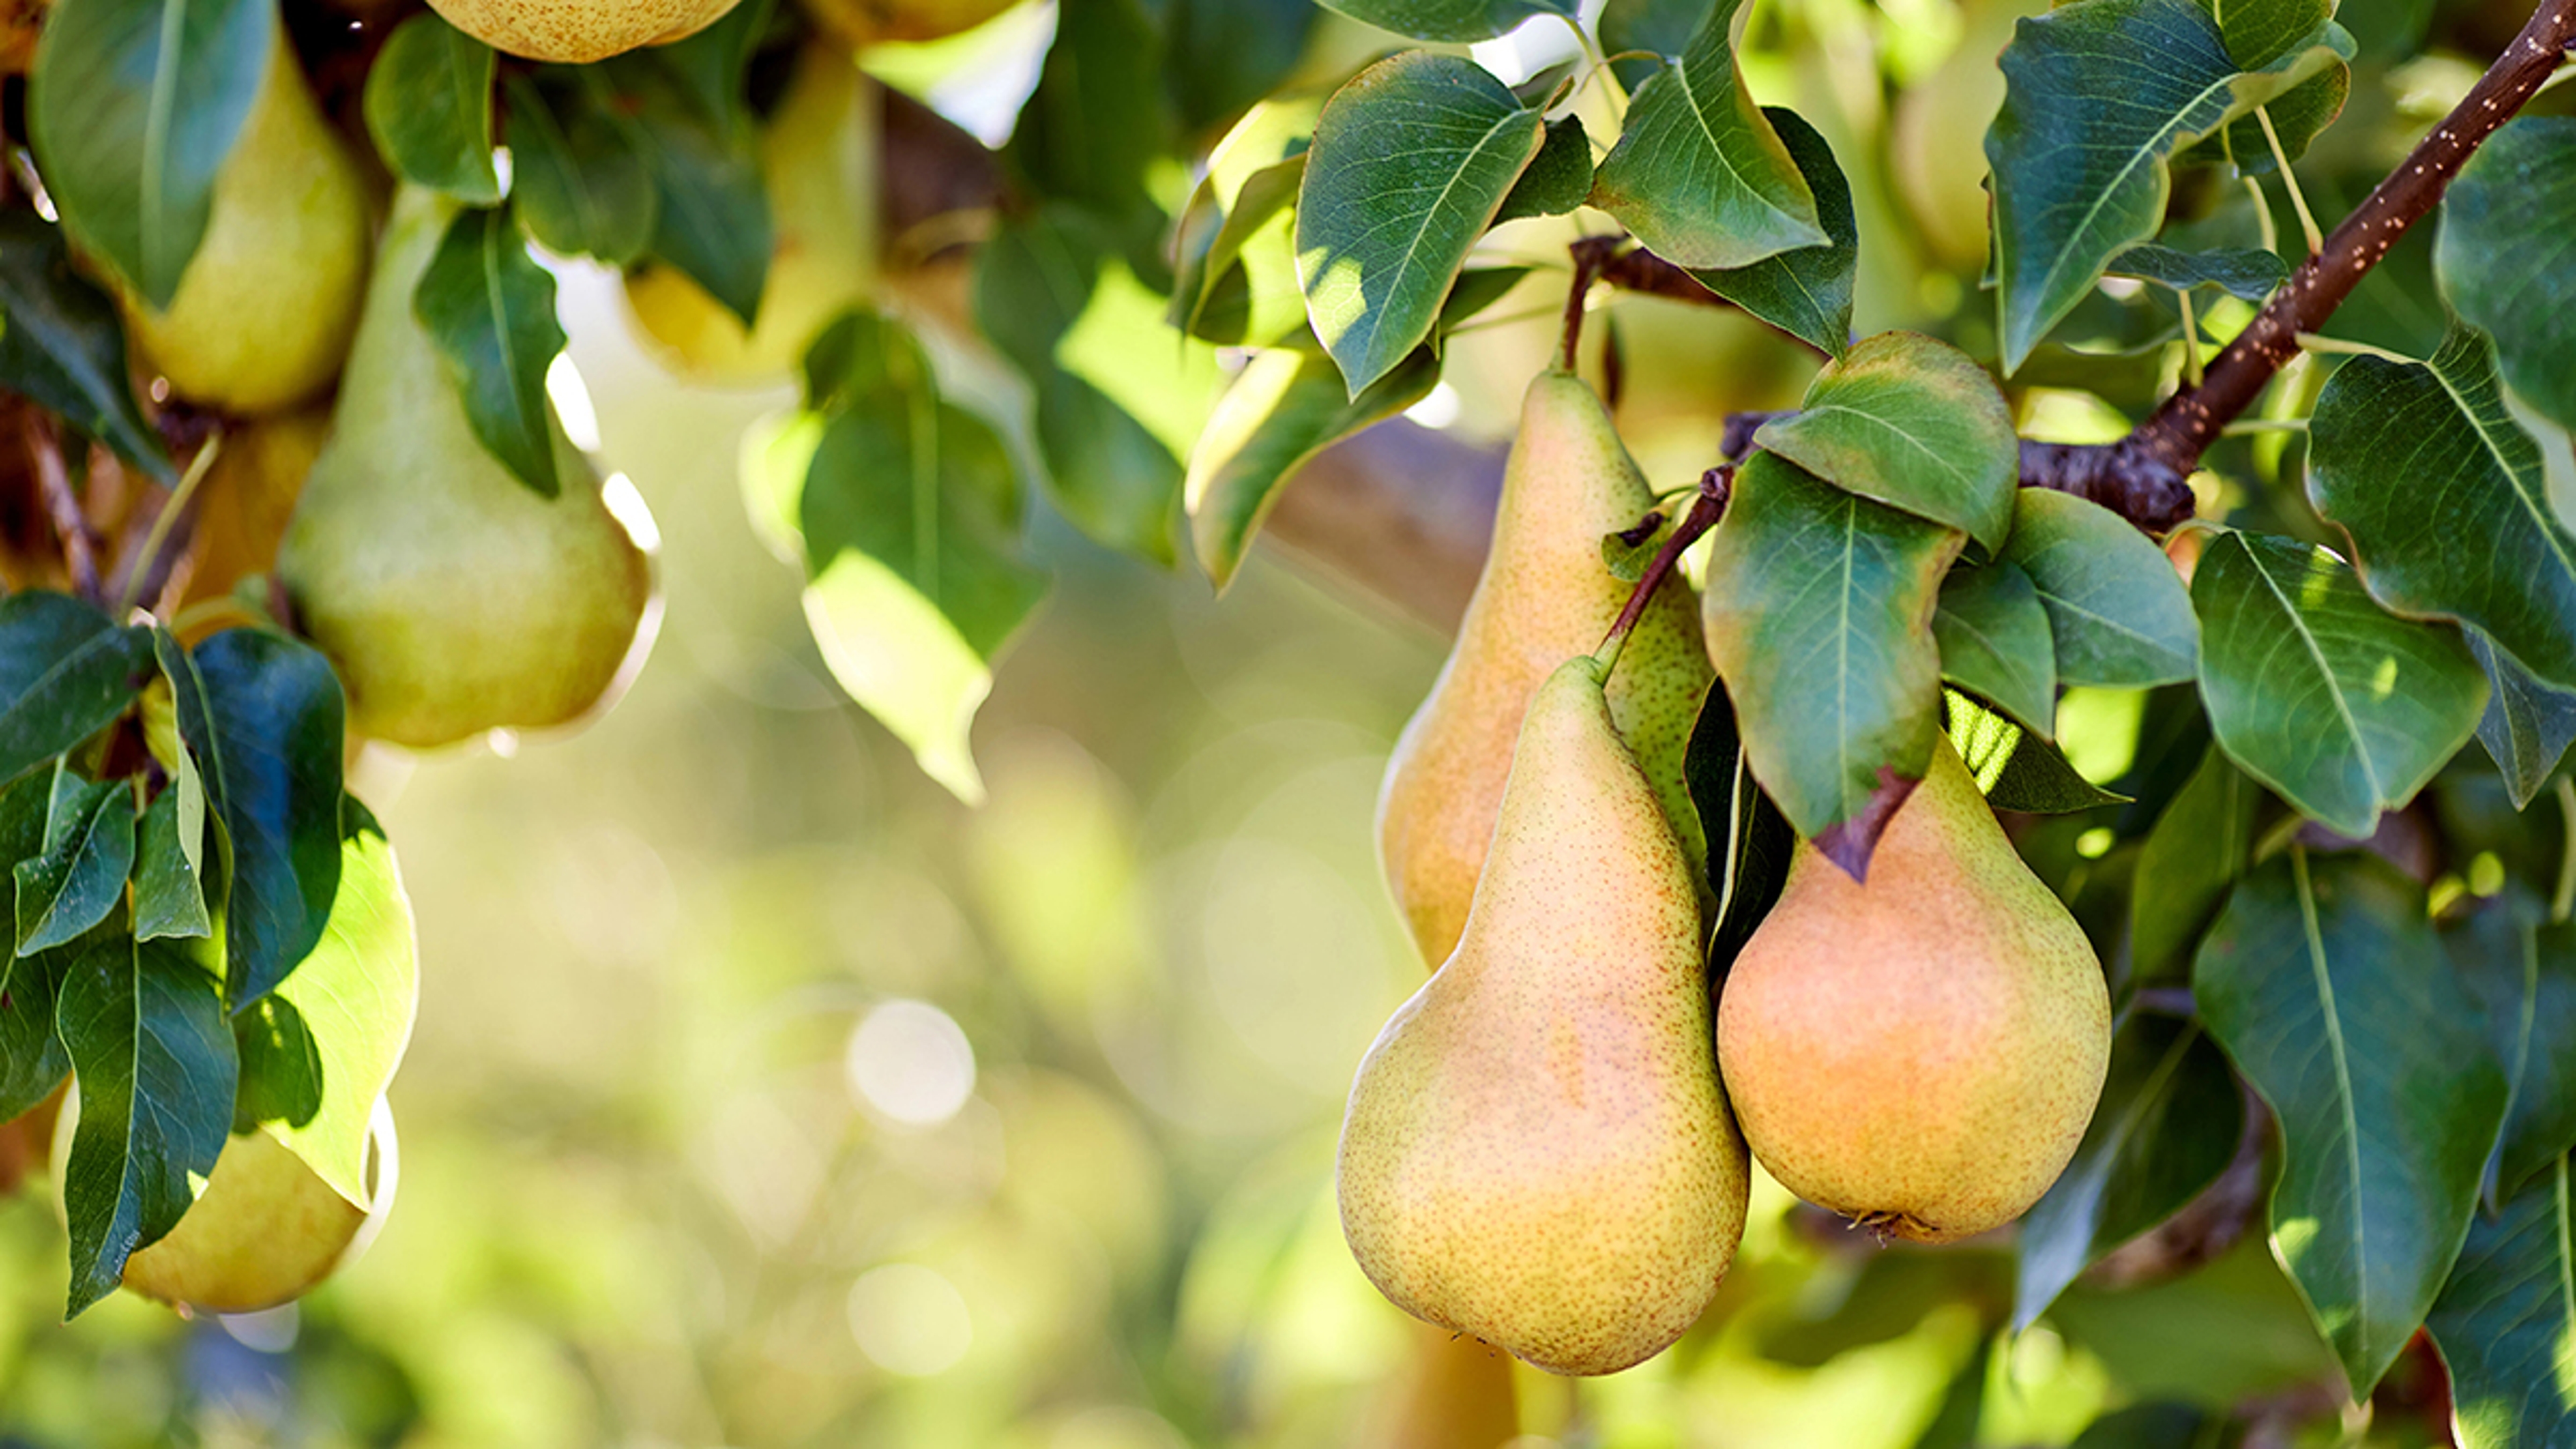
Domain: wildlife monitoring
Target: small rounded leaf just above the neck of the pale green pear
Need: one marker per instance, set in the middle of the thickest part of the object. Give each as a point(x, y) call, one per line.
point(429, 104)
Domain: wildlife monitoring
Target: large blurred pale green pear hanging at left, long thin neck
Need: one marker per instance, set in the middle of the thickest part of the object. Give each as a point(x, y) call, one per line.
point(450, 597)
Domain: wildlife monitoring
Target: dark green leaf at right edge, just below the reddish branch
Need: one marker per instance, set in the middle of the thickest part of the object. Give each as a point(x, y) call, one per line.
point(2389, 437)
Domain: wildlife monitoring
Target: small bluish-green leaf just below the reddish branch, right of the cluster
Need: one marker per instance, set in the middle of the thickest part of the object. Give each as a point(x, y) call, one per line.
point(2116, 607)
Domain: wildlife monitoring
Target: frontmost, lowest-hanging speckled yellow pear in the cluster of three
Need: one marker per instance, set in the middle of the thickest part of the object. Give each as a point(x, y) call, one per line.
point(1537, 1149)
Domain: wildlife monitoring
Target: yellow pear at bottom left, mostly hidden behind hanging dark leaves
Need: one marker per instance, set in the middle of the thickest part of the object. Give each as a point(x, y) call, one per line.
point(264, 1231)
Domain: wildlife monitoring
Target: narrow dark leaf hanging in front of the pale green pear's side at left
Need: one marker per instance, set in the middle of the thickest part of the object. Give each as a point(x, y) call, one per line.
point(491, 313)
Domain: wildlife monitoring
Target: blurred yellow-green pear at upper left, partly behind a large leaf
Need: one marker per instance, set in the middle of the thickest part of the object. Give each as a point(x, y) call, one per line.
point(267, 308)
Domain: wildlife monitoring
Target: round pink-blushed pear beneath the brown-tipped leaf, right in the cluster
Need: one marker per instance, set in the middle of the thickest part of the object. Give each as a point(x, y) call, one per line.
point(1926, 1051)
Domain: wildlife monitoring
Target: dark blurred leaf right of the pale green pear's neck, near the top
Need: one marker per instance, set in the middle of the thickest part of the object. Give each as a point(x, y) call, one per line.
point(578, 182)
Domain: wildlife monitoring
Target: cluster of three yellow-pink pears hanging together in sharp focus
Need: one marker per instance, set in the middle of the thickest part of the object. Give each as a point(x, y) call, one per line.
point(1549, 1146)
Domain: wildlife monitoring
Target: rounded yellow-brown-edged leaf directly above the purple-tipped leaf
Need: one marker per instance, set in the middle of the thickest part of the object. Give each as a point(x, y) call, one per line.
point(1913, 424)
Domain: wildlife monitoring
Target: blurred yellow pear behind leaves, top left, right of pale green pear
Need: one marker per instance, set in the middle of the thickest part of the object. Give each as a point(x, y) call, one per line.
point(818, 161)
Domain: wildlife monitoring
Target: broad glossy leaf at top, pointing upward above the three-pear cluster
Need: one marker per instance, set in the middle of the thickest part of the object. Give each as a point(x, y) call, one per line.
point(1699, 171)
